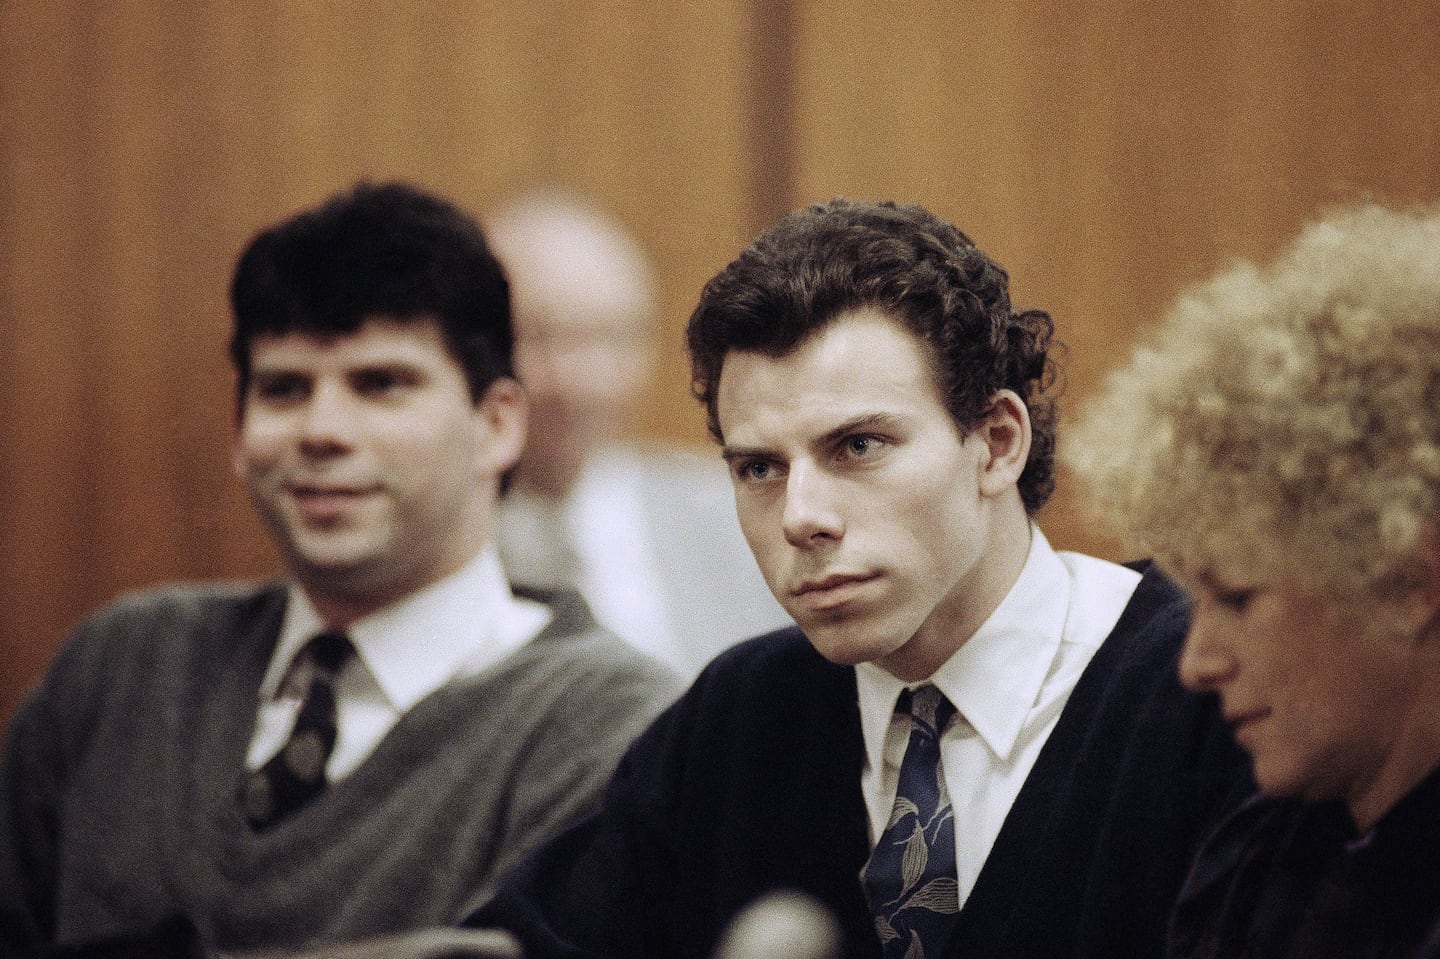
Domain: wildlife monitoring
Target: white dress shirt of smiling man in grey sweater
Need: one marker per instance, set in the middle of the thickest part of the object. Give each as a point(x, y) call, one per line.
point(457, 627)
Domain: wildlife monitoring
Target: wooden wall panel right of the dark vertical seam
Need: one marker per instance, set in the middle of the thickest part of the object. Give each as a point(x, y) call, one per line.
point(1110, 153)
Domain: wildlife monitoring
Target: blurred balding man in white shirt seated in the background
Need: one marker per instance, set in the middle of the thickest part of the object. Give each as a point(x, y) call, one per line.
point(649, 536)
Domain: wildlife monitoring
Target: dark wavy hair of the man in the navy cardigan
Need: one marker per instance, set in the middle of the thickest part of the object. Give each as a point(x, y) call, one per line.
point(845, 256)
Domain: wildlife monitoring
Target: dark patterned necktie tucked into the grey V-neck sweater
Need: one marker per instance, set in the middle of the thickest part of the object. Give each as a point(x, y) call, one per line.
point(297, 774)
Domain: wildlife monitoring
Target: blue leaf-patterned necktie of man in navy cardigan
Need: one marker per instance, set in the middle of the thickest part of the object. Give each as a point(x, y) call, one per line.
point(911, 879)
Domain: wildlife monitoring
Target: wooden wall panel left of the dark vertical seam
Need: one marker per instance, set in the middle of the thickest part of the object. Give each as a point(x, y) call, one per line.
point(145, 142)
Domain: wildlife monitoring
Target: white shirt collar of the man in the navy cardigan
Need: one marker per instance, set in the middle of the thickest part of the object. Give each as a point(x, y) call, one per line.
point(996, 677)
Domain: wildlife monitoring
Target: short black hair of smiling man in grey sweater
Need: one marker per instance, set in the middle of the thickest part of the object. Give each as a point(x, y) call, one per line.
point(378, 250)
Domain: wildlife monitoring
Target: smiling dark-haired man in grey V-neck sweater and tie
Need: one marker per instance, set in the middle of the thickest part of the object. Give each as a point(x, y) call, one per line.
point(368, 745)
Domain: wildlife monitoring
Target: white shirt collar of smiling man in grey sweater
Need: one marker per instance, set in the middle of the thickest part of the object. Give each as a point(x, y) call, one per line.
point(460, 626)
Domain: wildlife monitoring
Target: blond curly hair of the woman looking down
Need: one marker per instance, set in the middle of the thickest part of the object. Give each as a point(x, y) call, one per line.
point(1284, 424)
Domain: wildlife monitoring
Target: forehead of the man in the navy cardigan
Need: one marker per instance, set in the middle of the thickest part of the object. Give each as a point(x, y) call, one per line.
point(863, 364)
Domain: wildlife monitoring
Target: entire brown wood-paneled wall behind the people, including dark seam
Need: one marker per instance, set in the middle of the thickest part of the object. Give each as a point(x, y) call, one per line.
point(1107, 152)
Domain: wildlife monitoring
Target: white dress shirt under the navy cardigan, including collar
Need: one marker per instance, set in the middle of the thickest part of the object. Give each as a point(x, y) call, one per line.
point(1009, 683)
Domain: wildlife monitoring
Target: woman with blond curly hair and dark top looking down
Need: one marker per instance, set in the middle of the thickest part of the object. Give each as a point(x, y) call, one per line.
point(1277, 446)
